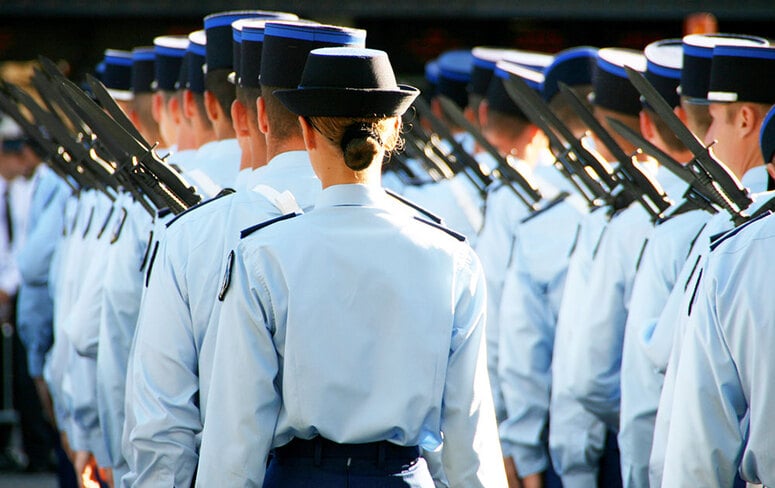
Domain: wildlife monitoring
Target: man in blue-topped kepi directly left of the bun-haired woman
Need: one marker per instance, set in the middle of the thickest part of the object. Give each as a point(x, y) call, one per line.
point(172, 356)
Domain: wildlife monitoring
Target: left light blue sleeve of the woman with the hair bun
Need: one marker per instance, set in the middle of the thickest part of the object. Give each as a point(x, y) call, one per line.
point(243, 400)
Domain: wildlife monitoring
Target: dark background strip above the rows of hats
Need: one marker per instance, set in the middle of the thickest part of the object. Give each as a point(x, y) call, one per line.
point(412, 31)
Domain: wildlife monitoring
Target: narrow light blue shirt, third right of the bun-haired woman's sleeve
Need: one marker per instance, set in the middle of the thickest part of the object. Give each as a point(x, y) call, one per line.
point(576, 437)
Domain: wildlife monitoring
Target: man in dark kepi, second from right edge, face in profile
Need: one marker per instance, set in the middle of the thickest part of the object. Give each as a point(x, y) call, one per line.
point(732, 68)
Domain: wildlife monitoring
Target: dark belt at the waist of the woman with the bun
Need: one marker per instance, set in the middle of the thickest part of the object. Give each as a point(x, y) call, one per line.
point(319, 448)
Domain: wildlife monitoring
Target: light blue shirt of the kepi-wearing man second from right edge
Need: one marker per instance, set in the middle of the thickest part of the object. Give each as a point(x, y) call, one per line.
point(663, 345)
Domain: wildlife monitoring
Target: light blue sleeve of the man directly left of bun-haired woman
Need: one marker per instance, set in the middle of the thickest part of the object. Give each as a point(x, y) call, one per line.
point(163, 421)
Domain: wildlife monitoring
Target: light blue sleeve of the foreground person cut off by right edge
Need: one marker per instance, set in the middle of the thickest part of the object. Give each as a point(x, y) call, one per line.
point(705, 438)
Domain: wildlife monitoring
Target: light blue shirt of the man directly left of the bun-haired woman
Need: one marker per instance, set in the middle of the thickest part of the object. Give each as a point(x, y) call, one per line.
point(169, 367)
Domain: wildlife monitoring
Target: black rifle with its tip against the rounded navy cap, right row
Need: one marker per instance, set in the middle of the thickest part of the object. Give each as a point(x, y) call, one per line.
point(633, 180)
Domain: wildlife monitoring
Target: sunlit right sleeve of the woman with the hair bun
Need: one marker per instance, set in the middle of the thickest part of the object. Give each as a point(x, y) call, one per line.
point(472, 454)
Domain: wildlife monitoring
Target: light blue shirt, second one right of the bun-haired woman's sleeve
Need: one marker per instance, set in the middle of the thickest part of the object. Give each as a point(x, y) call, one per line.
point(532, 294)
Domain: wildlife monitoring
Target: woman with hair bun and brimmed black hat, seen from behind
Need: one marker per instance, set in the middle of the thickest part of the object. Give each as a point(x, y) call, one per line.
point(353, 335)
